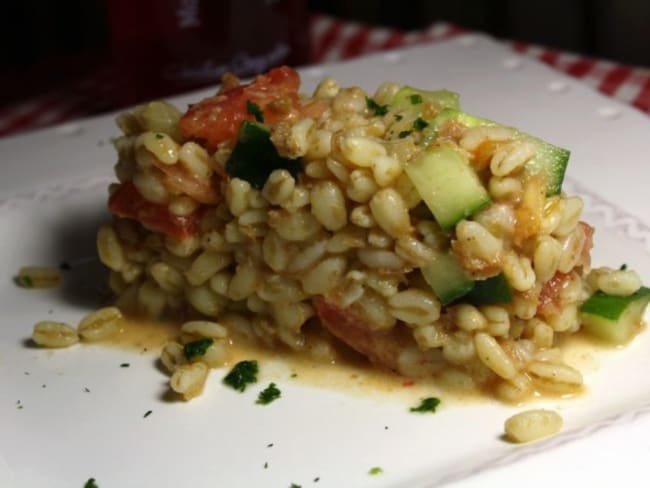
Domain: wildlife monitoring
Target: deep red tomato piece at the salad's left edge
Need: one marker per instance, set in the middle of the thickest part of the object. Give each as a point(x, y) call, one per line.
point(128, 203)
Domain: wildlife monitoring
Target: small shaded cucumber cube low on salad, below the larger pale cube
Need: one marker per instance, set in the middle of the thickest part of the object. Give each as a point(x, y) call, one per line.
point(447, 278)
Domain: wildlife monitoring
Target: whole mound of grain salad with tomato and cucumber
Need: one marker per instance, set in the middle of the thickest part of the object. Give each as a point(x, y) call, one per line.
point(434, 242)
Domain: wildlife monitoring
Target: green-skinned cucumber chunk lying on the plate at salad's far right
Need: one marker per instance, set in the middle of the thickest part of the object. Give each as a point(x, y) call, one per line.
point(612, 318)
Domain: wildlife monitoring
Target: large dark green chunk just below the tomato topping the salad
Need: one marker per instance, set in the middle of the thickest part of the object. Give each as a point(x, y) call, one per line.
point(255, 157)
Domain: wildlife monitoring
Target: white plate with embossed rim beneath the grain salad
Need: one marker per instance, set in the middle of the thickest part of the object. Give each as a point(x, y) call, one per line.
point(54, 433)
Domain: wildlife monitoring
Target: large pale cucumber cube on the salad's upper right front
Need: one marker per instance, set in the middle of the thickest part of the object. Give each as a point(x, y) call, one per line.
point(448, 184)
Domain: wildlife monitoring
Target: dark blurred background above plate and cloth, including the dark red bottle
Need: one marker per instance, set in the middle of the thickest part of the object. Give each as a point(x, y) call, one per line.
point(111, 53)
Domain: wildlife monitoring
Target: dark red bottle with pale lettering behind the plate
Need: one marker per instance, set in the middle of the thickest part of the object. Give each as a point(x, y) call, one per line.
point(161, 47)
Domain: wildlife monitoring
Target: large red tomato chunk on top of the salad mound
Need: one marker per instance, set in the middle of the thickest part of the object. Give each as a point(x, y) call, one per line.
point(217, 119)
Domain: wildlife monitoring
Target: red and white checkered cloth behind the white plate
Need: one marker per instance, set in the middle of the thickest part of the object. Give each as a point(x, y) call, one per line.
point(333, 40)
